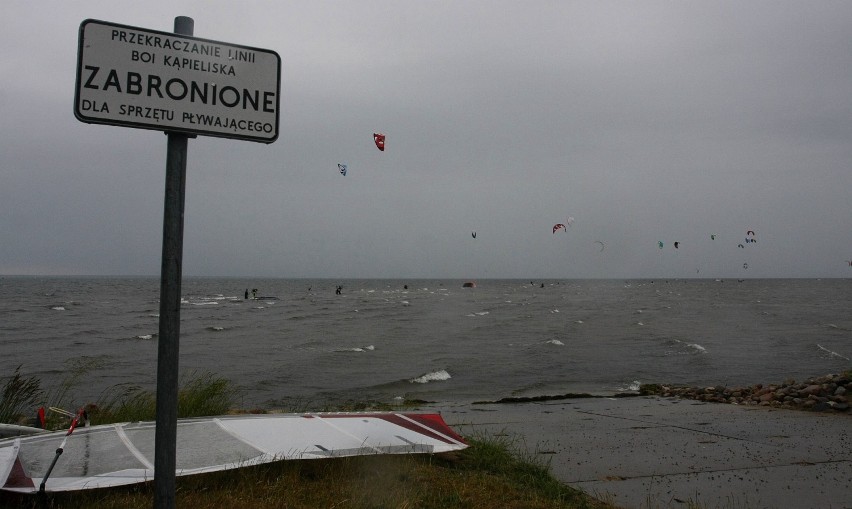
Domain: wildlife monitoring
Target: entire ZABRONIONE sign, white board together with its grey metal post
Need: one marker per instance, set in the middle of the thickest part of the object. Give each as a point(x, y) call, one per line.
point(184, 86)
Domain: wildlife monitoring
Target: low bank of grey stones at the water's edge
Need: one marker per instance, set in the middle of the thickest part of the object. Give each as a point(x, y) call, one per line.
point(830, 393)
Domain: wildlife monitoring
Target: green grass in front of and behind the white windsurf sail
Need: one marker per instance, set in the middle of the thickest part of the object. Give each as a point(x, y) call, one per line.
point(491, 473)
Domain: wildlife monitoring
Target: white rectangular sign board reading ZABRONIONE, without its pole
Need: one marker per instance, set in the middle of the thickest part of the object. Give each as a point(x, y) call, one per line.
point(136, 77)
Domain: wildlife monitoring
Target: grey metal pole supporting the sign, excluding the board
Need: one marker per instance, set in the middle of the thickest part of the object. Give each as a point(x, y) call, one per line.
point(165, 438)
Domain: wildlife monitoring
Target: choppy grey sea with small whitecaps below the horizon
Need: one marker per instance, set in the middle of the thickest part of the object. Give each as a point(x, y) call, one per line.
point(301, 345)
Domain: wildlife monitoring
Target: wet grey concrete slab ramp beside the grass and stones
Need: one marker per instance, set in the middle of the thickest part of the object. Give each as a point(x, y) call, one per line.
point(669, 451)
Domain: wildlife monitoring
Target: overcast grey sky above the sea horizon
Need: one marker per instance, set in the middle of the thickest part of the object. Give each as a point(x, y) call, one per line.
point(645, 121)
